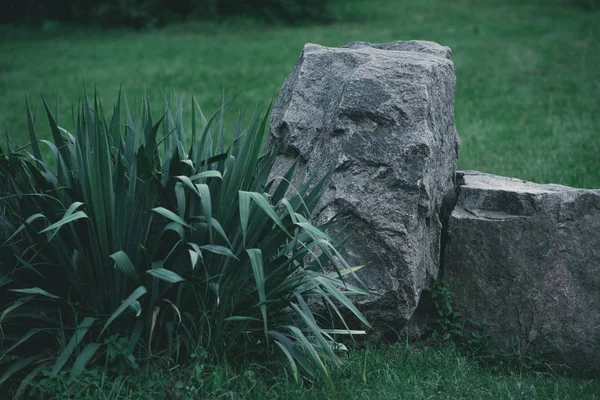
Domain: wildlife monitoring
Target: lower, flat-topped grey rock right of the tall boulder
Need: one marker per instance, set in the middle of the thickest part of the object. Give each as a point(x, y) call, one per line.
point(525, 258)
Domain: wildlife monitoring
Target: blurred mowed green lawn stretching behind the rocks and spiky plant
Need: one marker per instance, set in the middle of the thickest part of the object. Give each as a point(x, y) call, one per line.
point(528, 73)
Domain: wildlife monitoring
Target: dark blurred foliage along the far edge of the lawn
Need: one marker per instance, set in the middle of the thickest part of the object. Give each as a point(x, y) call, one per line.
point(142, 13)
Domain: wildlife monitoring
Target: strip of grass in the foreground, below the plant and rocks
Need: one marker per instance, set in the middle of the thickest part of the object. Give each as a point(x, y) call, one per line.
point(397, 372)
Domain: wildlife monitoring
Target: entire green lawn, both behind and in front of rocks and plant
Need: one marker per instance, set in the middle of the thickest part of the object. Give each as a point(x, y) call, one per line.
point(527, 106)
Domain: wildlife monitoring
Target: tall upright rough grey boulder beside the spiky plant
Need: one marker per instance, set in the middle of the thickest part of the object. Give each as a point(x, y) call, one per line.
point(382, 117)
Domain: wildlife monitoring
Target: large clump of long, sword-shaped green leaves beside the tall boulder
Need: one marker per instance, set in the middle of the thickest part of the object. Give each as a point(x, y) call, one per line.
point(130, 245)
